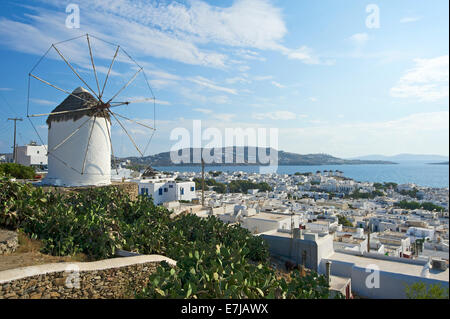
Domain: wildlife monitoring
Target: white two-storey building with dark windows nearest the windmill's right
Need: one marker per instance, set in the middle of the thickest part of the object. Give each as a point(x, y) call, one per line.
point(167, 190)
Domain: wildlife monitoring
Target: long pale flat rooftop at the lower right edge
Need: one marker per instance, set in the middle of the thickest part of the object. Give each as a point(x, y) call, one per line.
point(390, 266)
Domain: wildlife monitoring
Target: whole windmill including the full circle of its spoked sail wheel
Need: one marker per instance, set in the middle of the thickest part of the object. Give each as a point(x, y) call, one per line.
point(80, 147)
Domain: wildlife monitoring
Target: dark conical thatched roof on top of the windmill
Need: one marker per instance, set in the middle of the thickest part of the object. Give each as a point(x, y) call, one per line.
point(72, 103)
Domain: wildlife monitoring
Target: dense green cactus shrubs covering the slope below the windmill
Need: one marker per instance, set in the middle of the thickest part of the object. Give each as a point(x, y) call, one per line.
point(214, 260)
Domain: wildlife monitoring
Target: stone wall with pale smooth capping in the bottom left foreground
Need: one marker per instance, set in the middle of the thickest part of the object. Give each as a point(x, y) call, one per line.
point(111, 278)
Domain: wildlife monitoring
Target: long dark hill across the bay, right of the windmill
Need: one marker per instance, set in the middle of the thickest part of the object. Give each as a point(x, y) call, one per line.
point(284, 158)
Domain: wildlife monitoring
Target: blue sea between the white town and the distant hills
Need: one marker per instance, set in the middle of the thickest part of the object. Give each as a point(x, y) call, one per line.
point(419, 173)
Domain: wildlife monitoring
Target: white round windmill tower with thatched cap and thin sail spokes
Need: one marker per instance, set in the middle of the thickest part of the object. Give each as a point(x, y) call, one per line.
point(79, 128)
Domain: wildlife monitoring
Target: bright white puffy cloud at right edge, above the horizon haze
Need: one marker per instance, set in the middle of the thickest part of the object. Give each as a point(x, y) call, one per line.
point(426, 81)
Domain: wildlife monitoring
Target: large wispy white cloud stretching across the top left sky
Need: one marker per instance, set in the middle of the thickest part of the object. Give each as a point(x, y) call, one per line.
point(176, 31)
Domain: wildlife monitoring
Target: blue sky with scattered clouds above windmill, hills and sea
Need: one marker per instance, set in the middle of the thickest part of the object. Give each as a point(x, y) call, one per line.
point(312, 69)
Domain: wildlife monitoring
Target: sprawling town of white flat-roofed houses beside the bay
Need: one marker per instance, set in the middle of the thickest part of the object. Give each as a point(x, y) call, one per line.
point(323, 218)
